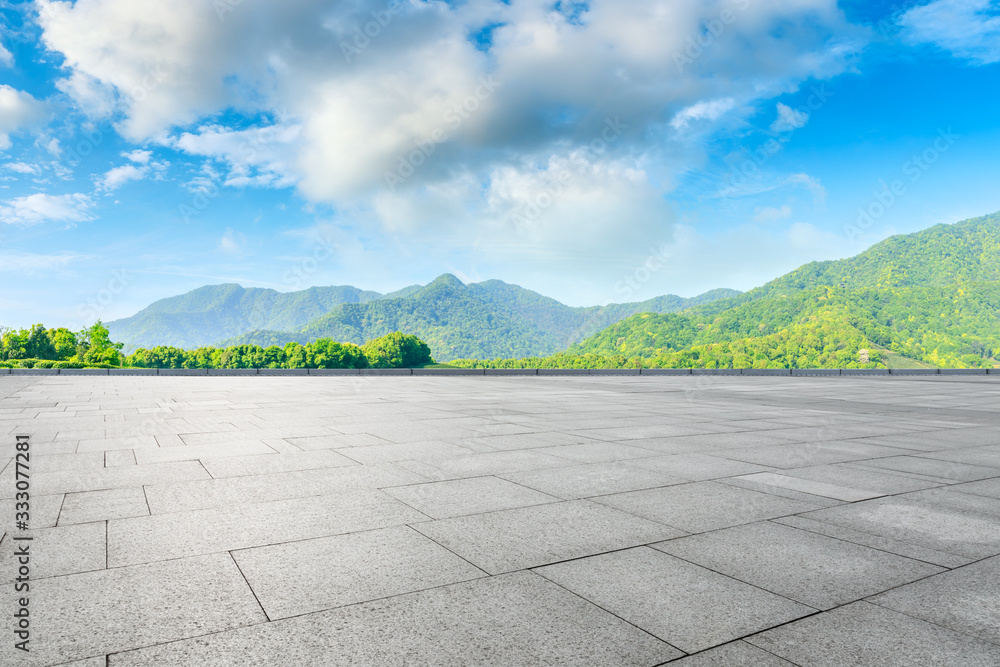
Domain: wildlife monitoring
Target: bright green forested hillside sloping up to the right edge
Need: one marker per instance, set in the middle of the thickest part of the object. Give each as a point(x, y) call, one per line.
point(932, 296)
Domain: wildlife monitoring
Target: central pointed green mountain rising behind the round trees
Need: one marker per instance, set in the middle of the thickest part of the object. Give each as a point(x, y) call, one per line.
point(482, 320)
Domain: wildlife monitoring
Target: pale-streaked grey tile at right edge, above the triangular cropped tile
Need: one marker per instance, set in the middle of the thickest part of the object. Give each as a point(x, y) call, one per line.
point(955, 523)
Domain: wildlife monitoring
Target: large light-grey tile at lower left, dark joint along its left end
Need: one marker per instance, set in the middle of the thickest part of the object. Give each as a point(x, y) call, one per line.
point(312, 575)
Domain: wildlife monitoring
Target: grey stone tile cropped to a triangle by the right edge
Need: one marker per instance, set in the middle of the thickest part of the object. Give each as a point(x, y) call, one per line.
point(966, 600)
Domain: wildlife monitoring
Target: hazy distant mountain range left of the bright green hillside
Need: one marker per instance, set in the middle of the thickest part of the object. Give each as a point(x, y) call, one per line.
point(482, 320)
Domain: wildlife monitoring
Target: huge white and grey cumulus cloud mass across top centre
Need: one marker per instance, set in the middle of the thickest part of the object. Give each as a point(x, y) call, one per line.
point(342, 101)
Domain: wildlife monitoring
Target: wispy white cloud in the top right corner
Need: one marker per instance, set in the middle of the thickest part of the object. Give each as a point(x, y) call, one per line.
point(969, 29)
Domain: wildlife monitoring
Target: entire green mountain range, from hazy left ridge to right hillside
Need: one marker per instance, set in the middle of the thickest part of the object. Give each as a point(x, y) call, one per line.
point(932, 298)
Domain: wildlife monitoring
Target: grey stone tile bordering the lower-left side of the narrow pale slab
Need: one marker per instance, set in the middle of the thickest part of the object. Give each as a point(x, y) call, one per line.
point(703, 506)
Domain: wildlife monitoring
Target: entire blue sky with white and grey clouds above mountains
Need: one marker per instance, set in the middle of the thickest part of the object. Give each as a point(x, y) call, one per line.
point(595, 152)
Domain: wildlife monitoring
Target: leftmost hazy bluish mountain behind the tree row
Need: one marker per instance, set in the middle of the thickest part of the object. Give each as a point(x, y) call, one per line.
point(213, 312)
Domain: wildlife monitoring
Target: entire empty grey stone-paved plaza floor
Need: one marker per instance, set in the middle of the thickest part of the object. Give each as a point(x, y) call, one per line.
point(597, 521)
